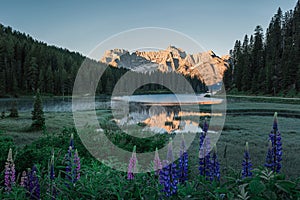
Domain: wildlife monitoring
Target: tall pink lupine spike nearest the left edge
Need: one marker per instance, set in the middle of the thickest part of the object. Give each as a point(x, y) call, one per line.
point(10, 173)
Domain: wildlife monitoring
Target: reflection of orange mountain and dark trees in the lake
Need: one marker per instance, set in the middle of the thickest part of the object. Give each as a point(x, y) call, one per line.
point(162, 118)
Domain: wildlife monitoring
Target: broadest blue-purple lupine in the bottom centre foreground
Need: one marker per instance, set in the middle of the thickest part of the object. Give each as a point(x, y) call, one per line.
point(168, 175)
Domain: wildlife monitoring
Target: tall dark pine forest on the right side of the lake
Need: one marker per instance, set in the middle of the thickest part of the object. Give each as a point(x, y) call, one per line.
point(268, 63)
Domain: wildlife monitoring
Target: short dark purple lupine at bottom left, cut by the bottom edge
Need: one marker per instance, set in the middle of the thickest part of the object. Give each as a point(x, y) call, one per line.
point(33, 185)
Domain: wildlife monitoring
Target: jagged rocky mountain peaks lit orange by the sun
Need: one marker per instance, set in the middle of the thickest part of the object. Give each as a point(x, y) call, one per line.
point(206, 66)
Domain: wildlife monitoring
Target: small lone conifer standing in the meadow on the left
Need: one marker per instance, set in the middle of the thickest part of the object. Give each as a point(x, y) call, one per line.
point(38, 119)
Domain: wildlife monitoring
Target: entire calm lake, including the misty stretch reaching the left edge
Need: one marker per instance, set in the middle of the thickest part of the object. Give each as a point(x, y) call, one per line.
point(163, 113)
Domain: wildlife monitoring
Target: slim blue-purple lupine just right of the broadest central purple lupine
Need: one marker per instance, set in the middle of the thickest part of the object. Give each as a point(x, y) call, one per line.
point(183, 163)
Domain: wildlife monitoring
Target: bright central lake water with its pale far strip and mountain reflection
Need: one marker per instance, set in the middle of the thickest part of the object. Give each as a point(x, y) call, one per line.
point(163, 113)
